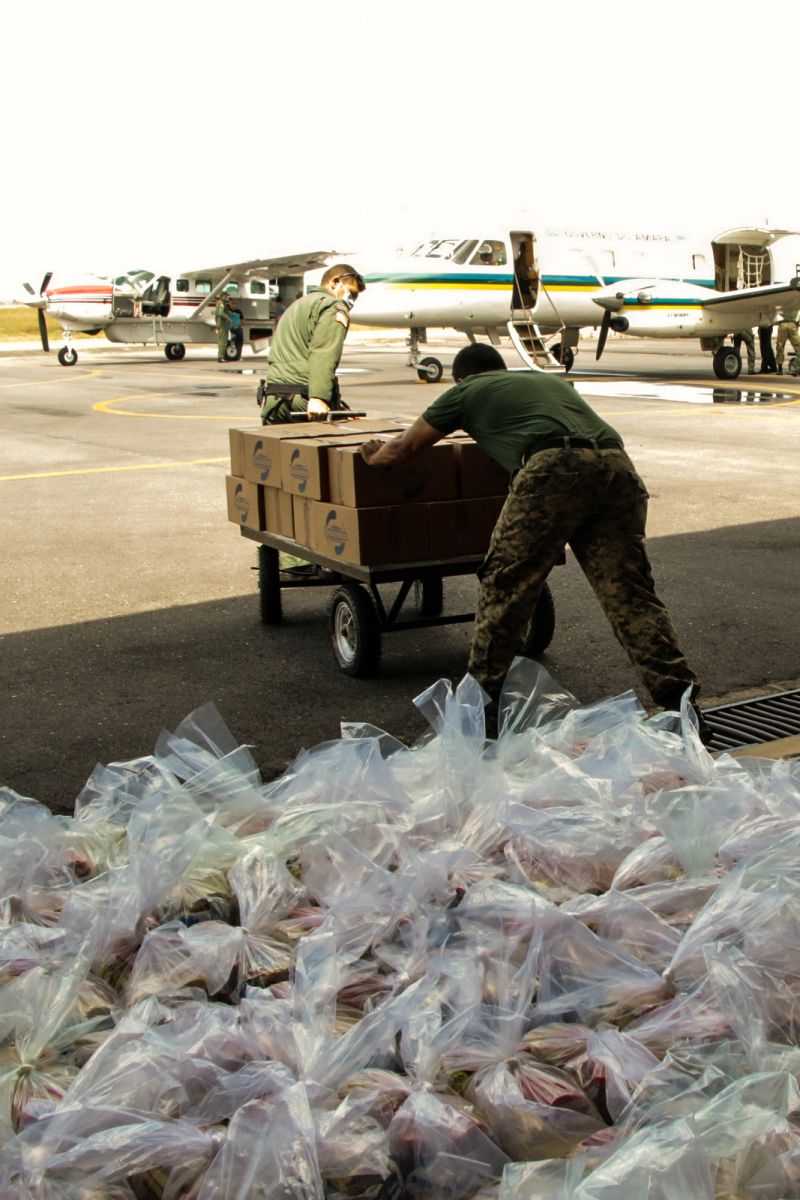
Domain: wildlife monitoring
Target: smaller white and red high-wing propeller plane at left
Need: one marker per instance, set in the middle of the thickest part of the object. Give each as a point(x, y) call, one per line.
point(170, 311)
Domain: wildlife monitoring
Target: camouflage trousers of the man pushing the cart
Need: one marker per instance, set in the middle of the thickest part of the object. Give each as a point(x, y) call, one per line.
point(596, 501)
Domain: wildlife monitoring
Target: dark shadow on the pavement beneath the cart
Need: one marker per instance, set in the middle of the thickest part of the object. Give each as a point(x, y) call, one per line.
point(101, 692)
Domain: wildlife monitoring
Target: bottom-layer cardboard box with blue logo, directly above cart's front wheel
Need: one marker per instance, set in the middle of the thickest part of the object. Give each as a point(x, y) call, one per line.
point(369, 537)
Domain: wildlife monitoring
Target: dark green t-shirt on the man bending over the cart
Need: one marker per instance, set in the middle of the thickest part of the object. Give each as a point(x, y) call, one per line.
point(509, 412)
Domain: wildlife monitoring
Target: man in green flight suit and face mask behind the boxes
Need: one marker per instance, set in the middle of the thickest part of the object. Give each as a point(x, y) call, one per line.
point(308, 346)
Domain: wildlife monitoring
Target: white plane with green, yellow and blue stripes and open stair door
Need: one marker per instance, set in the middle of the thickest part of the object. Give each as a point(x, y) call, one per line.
point(542, 290)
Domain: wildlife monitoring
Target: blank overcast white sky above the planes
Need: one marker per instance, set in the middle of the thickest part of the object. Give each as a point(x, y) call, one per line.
point(185, 134)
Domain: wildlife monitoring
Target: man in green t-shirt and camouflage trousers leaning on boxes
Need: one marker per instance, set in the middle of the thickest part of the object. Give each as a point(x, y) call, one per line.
point(573, 483)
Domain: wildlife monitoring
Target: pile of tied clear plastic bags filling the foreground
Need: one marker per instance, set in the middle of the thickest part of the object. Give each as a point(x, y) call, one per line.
point(561, 967)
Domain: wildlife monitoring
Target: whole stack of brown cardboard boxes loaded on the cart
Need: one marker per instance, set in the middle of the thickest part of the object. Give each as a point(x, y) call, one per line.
point(310, 484)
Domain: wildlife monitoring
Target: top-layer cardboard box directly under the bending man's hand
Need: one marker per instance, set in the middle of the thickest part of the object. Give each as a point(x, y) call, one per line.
point(430, 477)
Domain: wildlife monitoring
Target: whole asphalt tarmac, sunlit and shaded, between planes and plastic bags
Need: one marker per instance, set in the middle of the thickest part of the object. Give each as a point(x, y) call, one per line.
point(129, 599)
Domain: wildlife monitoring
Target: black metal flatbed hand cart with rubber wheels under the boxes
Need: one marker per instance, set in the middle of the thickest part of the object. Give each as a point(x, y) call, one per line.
point(358, 615)
